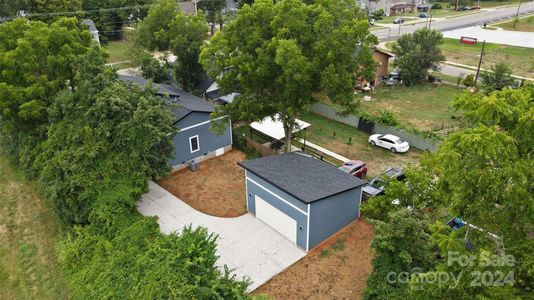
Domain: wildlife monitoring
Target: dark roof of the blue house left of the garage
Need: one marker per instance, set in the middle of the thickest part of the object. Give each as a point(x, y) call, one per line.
point(188, 102)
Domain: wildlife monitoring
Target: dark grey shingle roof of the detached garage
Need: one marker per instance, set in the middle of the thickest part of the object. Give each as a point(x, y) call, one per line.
point(302, 176)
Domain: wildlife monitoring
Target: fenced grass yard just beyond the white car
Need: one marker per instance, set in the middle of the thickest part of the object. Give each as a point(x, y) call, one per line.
point(423, 107)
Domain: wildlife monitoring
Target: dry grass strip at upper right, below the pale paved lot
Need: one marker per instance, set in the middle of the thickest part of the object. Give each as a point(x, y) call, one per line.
point(520, 59)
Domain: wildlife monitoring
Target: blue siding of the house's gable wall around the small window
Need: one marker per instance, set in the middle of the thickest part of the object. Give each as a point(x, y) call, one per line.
point(209, 141)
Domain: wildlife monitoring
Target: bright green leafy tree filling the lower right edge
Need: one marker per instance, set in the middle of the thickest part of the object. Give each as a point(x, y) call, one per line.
point(482, 174)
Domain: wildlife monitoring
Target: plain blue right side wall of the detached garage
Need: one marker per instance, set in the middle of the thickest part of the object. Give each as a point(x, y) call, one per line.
point(329, 215)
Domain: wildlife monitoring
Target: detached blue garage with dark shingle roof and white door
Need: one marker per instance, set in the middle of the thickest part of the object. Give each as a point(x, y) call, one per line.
point(303, 198)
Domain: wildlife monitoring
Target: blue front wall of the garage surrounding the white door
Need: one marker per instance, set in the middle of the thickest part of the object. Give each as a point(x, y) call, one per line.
point(297, 212)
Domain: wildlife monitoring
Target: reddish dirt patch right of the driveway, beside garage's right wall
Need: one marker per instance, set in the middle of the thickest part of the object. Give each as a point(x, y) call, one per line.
point(336, 269)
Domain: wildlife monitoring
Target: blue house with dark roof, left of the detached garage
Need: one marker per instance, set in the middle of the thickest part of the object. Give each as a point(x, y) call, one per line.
point(195, 141)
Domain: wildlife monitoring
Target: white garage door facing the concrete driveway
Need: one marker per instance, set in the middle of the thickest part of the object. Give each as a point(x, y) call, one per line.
point(276, 219)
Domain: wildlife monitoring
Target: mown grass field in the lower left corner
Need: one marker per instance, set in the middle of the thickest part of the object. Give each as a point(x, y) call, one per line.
point(28, 232)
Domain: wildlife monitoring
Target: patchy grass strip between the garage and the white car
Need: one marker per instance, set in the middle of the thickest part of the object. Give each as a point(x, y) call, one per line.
point(352, 143)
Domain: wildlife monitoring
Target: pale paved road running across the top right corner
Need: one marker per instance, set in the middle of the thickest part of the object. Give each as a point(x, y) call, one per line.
point(489, 16)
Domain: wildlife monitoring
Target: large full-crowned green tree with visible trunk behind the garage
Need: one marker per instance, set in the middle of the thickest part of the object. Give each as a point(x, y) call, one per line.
point(278, 55)
